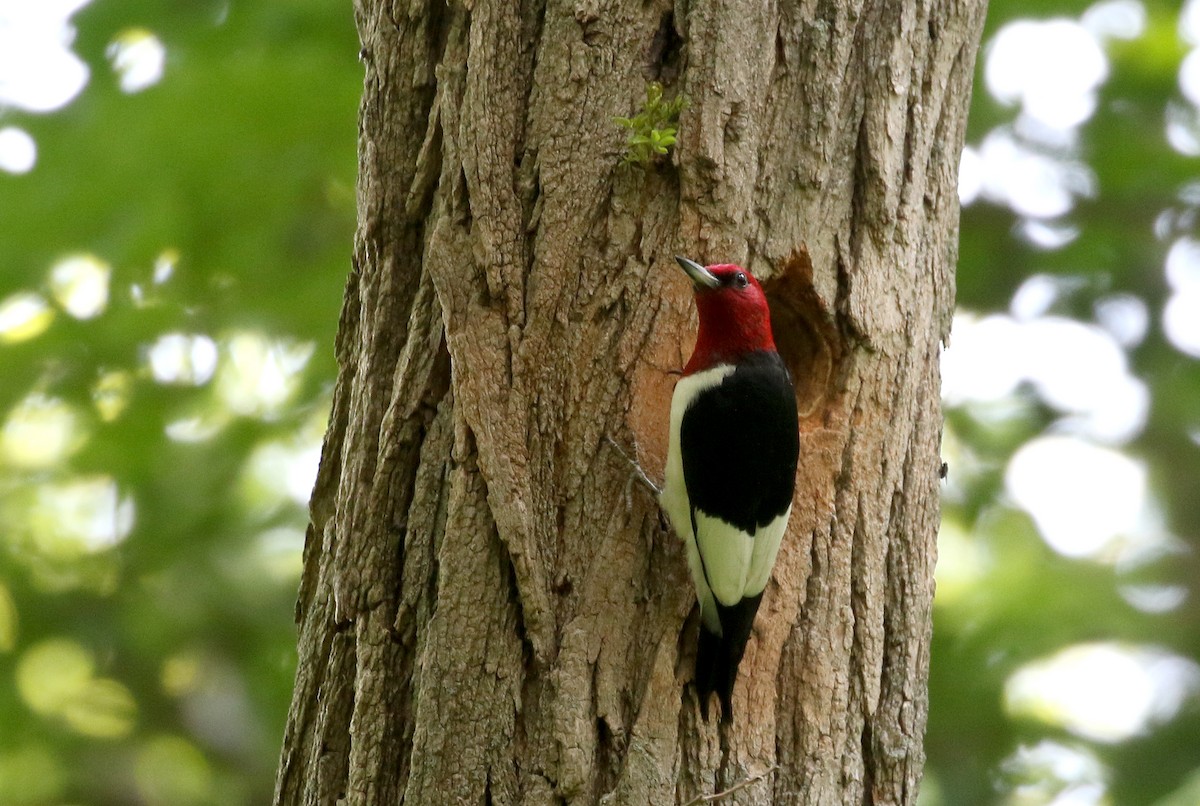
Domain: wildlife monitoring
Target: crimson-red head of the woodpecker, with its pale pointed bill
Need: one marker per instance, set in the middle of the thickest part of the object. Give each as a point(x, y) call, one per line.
point(734, 315)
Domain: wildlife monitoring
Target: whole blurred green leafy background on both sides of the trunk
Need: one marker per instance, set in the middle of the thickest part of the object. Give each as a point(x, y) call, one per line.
point(172, 273)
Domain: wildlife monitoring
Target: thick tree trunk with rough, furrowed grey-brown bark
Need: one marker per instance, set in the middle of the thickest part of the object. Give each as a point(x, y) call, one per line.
point(493, 611)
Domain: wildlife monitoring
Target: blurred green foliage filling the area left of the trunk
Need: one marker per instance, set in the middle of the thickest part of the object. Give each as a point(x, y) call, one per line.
point(148, 582)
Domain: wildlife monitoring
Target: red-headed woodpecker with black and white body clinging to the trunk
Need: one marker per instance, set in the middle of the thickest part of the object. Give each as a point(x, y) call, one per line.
point(731, 467)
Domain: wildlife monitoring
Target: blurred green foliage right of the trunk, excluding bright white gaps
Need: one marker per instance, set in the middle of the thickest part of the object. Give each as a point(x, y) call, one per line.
point(1006, 599)
